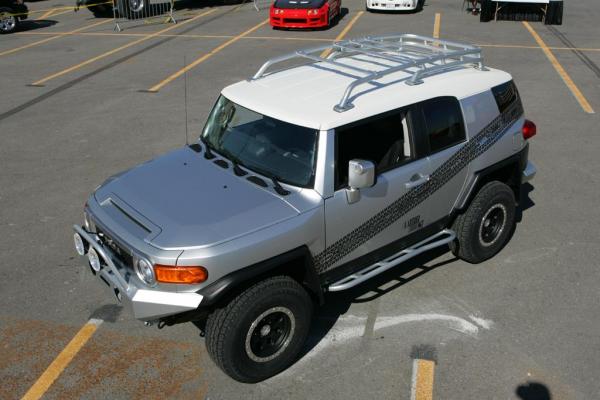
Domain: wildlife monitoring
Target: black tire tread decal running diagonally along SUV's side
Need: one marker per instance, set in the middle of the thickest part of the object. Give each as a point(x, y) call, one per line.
point(392, 213)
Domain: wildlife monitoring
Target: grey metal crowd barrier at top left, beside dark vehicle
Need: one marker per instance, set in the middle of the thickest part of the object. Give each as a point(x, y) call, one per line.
point(127, 12)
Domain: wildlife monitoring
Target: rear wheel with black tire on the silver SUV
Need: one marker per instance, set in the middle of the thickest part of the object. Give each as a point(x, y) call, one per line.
point(484, 229)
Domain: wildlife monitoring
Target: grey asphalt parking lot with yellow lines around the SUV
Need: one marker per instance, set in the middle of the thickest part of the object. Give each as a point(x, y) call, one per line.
point(82, 102)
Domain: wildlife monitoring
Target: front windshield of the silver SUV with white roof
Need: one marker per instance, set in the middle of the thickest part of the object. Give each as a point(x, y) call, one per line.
point(270, 147)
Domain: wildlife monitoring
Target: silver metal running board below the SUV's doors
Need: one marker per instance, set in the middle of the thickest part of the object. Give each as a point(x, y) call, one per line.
point(439, 239)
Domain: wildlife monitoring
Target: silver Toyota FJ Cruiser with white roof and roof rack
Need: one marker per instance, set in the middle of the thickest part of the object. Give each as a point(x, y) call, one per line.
point(308, 179)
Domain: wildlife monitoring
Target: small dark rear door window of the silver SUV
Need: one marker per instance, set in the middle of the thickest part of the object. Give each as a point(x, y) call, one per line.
point(443, 122)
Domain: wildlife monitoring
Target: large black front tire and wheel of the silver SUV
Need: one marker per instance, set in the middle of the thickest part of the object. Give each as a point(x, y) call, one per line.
point(237, 333)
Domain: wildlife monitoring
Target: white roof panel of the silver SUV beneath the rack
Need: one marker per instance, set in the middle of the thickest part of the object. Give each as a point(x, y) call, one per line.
point(306, 95)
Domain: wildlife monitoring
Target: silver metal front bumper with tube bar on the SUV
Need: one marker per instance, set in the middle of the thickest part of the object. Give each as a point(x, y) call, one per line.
point(146, 304)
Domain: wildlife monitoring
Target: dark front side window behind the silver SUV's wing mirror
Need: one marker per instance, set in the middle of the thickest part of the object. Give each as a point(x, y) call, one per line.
point(384, 140)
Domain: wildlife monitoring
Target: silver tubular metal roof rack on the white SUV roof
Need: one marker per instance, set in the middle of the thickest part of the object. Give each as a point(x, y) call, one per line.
point(417, 55)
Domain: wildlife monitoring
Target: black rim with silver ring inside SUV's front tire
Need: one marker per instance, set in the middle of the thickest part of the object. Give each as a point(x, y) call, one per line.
point(270, 334)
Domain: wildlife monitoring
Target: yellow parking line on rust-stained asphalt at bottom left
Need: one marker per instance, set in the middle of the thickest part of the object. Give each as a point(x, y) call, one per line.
point(62, 360)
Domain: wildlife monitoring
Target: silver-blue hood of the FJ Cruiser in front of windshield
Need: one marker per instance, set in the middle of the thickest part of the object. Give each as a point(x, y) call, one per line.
point(183, 200)
